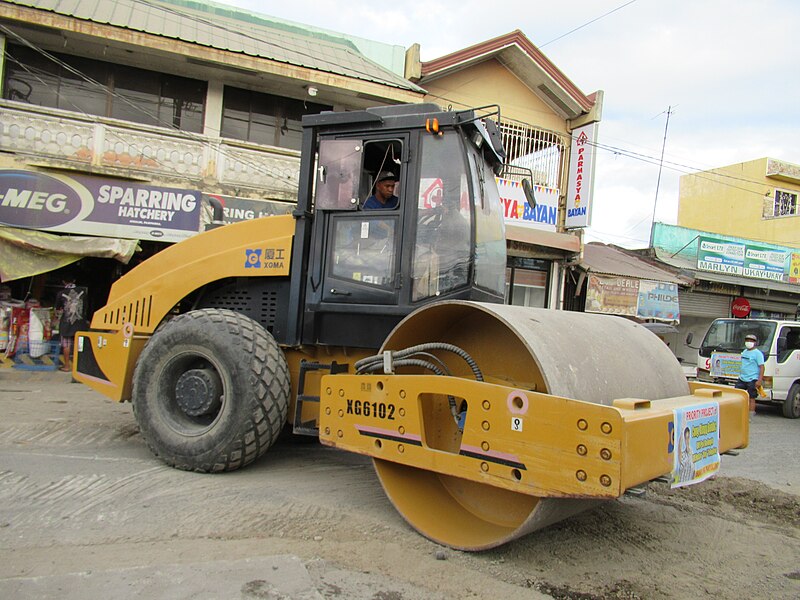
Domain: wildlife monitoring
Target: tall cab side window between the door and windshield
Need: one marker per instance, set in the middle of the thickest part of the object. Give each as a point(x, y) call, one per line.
point(444, 219)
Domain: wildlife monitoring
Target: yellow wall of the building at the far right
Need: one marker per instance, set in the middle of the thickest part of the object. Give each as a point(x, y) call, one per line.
point(732, 201)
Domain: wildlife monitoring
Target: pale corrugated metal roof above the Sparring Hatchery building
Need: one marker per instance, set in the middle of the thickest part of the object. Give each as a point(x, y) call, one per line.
point(218, 27)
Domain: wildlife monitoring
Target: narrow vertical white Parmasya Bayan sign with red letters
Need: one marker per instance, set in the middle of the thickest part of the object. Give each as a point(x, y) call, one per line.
point(581, 177)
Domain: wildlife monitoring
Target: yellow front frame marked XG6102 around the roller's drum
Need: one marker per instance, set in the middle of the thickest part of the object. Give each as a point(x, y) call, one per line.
point(524, 441)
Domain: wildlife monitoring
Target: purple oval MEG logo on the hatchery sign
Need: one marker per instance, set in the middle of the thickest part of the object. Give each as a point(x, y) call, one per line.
point(33, 199)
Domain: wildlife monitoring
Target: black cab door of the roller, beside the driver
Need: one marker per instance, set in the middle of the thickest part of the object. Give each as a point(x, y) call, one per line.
point(355, 272)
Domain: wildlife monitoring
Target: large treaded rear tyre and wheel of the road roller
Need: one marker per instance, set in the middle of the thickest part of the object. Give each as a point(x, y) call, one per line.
point(211, 391)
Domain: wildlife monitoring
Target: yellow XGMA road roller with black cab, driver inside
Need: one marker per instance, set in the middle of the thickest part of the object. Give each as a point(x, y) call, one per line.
point(373, 317)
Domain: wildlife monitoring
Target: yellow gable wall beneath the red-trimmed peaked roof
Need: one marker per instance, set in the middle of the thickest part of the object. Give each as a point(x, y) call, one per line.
point(490, 82)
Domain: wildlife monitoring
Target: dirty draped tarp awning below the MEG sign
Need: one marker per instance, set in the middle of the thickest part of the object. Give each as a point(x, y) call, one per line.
point(28, 252)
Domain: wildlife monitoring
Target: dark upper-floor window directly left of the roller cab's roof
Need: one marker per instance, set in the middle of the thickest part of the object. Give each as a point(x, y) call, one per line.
point(264, 118)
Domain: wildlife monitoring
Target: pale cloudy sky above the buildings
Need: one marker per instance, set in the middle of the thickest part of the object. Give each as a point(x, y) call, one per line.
point(727, 72)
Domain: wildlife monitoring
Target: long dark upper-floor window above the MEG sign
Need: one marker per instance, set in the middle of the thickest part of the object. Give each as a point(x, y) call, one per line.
point(103, 89)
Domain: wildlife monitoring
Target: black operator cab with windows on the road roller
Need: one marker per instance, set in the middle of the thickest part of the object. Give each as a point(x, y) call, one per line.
point(443, 238)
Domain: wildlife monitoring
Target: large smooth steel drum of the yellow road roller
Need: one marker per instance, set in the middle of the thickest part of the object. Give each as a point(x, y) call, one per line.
point(595, 358)
